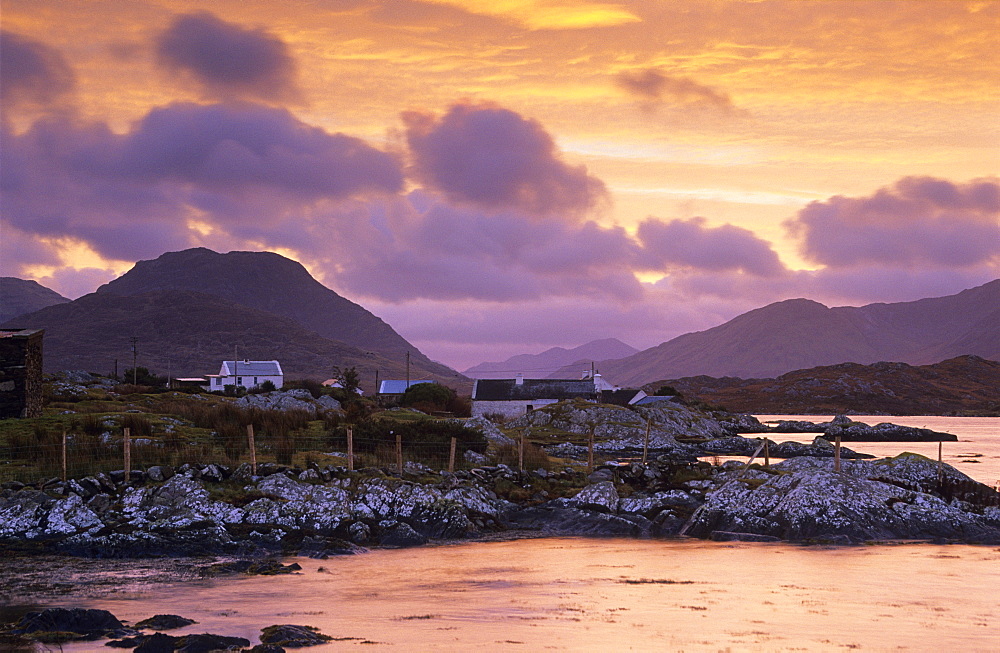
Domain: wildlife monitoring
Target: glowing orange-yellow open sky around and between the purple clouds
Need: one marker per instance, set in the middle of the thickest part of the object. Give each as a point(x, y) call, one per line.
point(740, 113)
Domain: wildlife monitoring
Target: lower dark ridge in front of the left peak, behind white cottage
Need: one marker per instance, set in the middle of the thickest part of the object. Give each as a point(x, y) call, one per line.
point(190, 334)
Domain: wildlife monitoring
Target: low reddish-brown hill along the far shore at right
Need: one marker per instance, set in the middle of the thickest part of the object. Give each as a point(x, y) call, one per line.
point(962, 385)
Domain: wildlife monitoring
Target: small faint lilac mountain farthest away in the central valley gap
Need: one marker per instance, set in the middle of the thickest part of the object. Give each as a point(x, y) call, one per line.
point(543, 364)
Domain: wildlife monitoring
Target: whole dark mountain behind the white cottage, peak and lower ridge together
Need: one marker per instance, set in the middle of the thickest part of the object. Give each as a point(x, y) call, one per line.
point(190, 309)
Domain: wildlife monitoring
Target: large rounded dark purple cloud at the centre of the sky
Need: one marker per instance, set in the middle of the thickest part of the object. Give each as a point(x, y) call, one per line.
point(496, 159)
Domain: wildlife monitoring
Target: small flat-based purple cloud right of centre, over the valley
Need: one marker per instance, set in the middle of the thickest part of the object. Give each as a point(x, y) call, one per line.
point(692, 244)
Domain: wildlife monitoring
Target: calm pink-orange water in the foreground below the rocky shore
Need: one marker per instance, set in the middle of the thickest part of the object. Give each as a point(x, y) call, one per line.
point(572, 594)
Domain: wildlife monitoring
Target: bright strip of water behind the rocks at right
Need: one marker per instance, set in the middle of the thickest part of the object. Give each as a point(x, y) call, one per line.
point(977, 452)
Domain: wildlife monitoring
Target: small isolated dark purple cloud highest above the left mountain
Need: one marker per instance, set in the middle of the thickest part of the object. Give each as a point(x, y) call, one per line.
point(228, 61)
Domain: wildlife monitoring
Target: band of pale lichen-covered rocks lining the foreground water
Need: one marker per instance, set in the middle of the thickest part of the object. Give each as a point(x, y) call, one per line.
point(324, 511)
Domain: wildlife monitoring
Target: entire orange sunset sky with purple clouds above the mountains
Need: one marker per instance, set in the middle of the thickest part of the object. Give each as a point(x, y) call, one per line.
point(496, 177)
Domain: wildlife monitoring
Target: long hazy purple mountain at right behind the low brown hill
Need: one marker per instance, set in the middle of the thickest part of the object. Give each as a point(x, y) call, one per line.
point(800, 333)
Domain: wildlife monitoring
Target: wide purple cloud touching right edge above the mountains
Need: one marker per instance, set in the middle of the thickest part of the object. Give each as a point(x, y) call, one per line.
point(918, 221)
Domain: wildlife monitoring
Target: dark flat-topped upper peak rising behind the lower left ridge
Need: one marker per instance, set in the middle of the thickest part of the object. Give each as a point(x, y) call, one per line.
point(269, 282)
